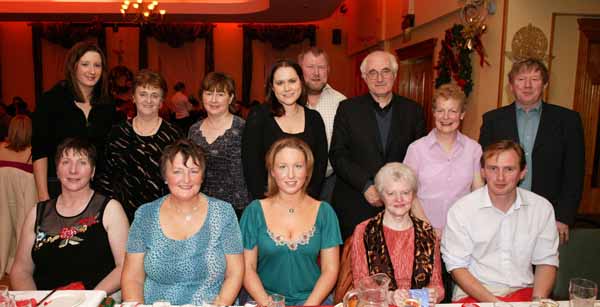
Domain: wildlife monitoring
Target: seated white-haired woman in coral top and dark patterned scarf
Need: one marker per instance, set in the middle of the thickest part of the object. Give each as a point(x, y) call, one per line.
point(395, 242)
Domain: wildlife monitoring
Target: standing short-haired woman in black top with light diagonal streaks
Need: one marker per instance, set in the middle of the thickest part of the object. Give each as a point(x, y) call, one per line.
point(134, 148)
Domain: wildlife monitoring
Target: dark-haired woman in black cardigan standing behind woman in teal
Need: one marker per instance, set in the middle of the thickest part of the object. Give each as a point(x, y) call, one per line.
point(284, 114)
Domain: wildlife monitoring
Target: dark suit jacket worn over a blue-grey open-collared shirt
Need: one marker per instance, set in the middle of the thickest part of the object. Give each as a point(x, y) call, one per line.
point(558, 153)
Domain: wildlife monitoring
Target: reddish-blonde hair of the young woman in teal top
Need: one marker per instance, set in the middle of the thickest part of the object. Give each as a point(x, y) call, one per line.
point(278, 146)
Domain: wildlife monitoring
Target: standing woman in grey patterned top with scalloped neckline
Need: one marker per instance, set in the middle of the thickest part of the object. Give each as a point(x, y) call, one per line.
point(220, 135)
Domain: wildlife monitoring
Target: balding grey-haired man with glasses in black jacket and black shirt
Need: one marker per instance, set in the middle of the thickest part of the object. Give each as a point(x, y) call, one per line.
point(368, 132)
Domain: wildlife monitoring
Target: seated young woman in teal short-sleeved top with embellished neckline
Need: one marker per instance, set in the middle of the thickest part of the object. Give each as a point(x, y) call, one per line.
point(286, 232)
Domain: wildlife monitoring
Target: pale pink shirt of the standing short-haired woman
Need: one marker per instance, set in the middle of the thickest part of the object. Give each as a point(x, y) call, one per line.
point(443, 177)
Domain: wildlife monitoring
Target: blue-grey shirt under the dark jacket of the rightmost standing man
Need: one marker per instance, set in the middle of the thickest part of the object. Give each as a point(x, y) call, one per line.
point(527, 124)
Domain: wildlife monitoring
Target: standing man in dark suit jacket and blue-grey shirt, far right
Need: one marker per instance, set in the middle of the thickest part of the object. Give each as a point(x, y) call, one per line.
point(552, 137)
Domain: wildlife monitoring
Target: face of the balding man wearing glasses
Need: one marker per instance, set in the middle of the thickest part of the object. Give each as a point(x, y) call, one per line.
point(379, 75)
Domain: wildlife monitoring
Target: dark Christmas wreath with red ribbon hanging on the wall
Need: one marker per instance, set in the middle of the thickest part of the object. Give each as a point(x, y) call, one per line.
point(454, 60)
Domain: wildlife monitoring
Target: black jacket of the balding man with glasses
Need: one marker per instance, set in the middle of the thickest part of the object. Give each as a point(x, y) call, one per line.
point(356, 152)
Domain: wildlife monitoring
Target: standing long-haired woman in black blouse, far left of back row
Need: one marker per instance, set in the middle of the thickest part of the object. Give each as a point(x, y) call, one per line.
point(78, 106)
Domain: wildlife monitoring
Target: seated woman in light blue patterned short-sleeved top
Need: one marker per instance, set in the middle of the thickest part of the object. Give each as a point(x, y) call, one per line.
point(186, 247)
